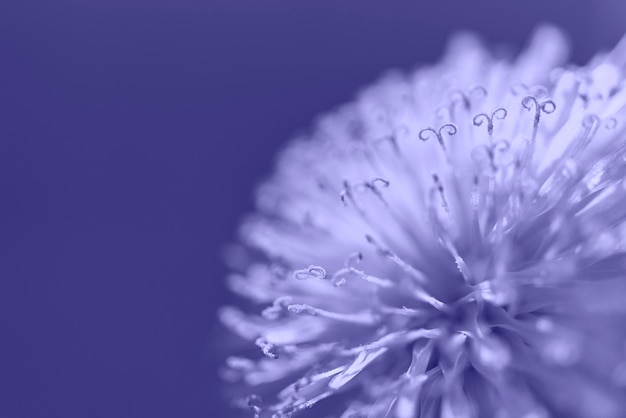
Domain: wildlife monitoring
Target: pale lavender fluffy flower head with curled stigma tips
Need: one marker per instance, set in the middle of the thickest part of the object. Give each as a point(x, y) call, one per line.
point(451, 244)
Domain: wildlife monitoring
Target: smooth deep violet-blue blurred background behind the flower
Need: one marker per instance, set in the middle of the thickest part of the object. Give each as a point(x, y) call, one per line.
point(132, 133)
